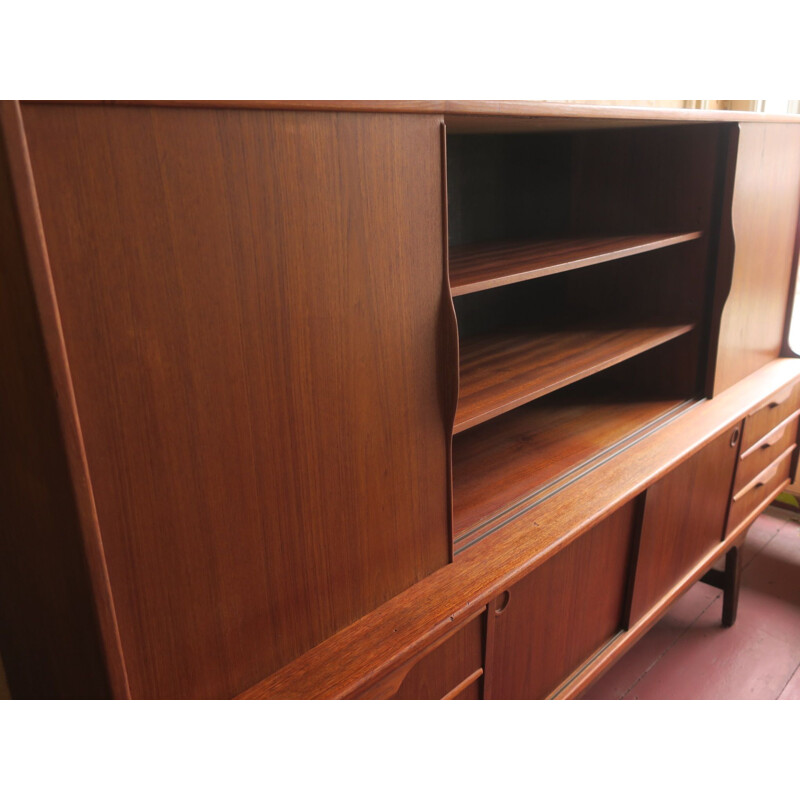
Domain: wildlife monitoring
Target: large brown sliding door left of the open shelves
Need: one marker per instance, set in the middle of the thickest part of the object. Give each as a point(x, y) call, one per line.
point(251, 304)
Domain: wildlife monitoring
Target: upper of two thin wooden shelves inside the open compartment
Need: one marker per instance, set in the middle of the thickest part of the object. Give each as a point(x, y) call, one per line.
point(474, 268)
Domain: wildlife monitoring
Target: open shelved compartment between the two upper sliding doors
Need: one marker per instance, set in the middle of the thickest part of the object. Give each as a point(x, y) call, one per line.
point(581, 270)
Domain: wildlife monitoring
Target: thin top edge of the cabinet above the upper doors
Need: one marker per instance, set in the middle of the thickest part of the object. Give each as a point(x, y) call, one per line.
point(454, 110)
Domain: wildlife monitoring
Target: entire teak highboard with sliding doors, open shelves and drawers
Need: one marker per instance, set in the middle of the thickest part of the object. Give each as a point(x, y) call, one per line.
point(381, 400)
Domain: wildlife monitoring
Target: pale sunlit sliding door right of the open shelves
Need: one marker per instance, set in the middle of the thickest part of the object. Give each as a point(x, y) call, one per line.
point(766, 198)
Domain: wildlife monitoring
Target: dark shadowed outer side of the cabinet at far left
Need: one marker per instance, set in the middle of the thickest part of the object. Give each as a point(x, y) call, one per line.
point(49, 636)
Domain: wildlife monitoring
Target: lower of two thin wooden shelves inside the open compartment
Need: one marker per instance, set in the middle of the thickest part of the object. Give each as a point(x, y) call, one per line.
point(502, 371)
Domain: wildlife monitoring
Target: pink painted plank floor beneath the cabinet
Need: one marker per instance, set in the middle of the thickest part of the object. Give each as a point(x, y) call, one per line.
point(689, 656)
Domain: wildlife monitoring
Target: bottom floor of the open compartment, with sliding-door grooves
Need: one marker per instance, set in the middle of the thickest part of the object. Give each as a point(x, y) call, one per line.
point(505, 465)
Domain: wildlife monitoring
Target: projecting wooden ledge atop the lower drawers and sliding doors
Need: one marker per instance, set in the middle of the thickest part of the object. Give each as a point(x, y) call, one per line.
point(408, 623)
